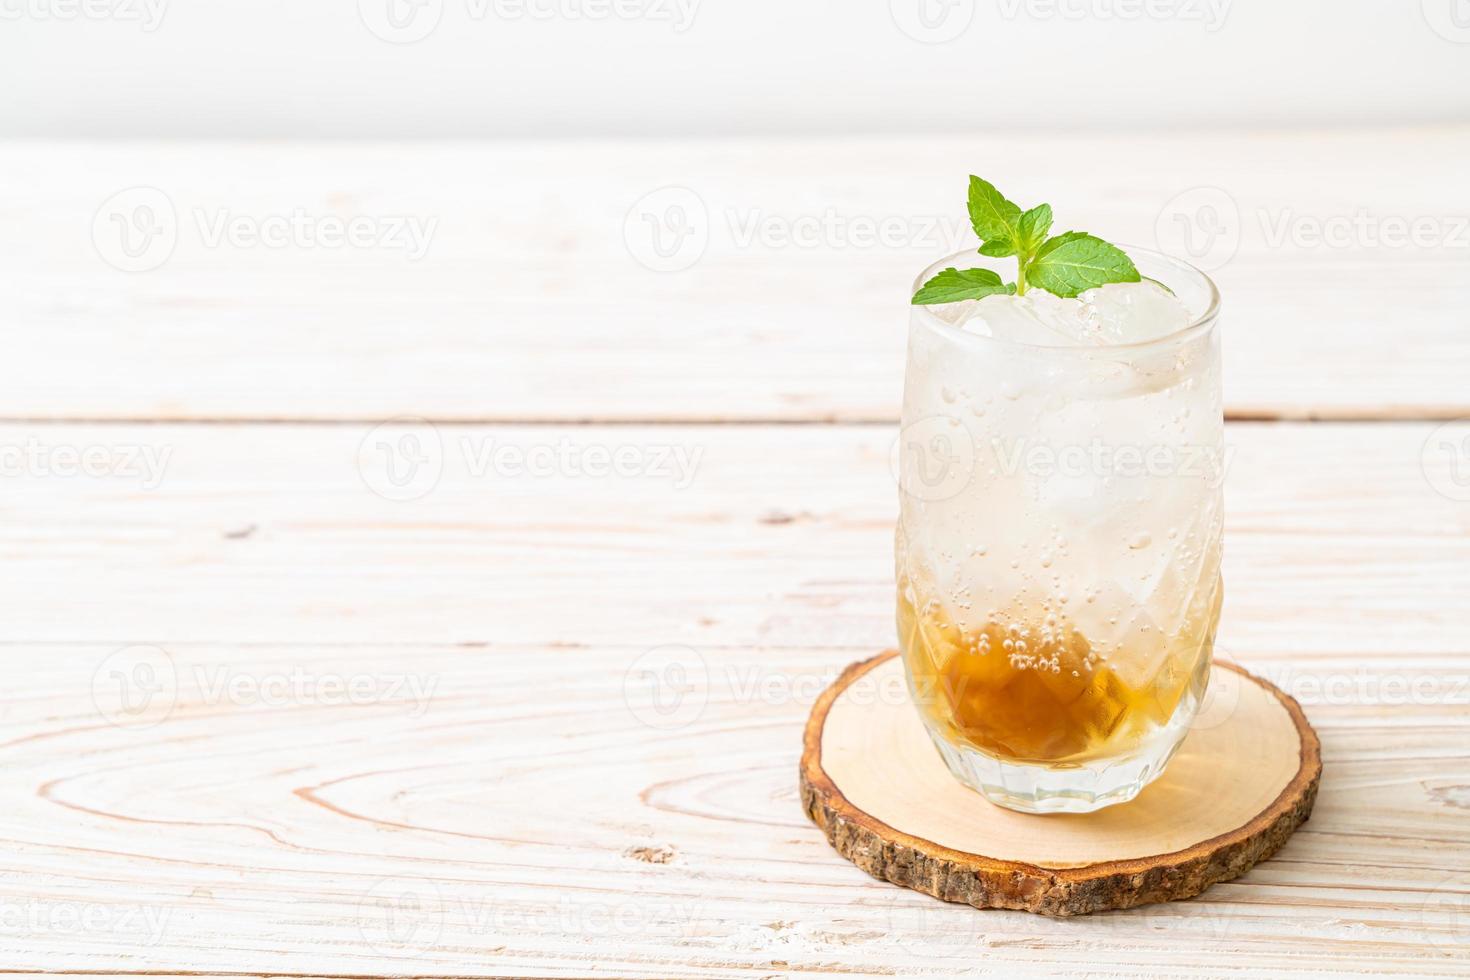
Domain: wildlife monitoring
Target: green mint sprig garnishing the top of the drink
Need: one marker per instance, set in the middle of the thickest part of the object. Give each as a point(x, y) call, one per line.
point(1064, 265)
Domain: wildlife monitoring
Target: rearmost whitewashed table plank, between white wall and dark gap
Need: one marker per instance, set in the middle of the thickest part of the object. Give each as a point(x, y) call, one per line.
point(530, 305)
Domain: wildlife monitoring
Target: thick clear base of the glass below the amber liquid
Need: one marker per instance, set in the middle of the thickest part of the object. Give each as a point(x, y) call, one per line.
point(1069, 788)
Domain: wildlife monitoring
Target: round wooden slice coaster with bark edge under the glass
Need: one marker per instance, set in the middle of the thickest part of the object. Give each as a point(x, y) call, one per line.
point(1244, 779)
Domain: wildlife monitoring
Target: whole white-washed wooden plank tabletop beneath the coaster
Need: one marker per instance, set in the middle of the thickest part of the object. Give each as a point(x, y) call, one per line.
point(279, 709)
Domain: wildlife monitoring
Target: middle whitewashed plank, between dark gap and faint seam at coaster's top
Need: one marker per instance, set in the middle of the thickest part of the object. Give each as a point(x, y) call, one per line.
point(781, 536)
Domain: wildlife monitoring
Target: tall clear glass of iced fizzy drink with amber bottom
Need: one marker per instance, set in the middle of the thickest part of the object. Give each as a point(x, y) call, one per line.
point(1059, 549)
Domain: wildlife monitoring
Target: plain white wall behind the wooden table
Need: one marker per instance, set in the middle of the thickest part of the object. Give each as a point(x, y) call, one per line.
point(565, 68)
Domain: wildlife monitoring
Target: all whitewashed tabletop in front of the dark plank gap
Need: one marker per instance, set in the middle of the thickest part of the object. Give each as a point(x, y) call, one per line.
point(429, 737)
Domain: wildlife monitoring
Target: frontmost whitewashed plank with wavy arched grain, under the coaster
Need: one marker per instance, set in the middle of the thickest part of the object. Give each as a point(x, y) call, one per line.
point(534, 818)
